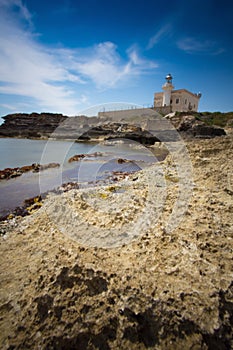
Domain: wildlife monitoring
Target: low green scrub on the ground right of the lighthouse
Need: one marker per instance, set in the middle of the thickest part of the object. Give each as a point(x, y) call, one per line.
point(212, 118)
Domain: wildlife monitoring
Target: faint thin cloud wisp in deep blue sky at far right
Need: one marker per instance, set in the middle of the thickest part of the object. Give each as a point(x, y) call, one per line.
point(194, 46)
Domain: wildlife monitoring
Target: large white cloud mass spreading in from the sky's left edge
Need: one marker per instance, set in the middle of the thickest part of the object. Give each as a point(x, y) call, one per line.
point(55, 77)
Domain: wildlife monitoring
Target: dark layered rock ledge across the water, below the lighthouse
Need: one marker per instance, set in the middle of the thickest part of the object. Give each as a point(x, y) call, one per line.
point(83, 128)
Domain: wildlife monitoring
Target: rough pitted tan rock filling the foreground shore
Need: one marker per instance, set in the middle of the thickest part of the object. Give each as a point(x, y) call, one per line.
point(134, 265)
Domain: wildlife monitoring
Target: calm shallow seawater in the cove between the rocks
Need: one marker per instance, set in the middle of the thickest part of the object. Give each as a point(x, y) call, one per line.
point(90, 171)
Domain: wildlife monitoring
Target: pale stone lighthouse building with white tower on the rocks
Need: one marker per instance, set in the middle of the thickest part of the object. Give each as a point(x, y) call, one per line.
point(175, 100)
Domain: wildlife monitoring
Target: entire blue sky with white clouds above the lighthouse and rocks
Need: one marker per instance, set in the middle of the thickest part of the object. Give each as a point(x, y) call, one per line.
point(66, 56)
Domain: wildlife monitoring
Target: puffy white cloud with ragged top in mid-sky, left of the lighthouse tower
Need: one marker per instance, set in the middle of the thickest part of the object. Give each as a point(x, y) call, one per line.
point(103, 65)
